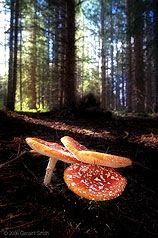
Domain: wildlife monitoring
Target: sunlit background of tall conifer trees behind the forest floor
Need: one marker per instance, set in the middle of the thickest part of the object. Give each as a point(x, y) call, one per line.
point(56, 52)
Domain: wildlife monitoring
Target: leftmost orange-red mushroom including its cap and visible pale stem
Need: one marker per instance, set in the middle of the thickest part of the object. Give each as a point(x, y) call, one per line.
point(54, 151)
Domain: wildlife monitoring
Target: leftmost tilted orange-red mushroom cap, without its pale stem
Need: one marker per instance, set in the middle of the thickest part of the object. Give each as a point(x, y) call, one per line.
point(52, 150)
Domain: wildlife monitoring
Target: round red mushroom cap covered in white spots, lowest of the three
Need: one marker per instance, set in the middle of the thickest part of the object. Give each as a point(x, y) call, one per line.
point(94, 182)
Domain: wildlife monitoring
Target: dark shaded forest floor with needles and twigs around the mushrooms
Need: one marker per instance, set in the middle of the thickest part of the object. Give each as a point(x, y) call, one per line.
point(28, 208)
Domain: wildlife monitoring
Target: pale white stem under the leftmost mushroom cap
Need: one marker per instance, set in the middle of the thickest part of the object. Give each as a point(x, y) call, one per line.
point(49, 170)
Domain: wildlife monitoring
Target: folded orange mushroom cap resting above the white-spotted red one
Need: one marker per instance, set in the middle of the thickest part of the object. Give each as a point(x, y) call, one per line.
point(92, 157)
